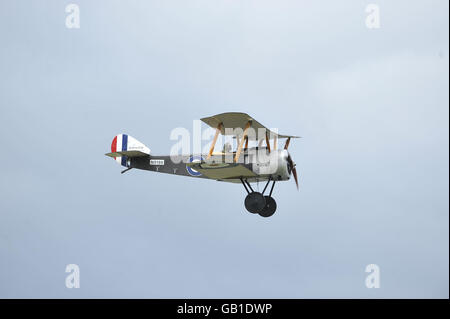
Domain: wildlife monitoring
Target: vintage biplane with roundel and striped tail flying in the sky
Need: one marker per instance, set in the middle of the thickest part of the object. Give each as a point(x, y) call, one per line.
point(244, 165)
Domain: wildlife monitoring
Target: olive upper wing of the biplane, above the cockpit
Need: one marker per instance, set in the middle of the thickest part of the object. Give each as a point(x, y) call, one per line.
point(239, 120)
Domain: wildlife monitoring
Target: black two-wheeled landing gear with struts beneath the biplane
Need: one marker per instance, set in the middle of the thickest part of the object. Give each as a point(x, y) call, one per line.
point(257, 203)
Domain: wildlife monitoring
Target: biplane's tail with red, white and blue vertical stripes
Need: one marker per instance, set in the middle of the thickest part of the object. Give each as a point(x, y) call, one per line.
point(124, 146)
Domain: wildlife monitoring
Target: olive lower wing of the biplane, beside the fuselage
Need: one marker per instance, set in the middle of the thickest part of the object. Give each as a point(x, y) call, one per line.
point(222, 171)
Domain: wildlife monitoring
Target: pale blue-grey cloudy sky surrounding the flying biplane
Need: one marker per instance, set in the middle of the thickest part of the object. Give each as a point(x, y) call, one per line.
point(371, 104)
